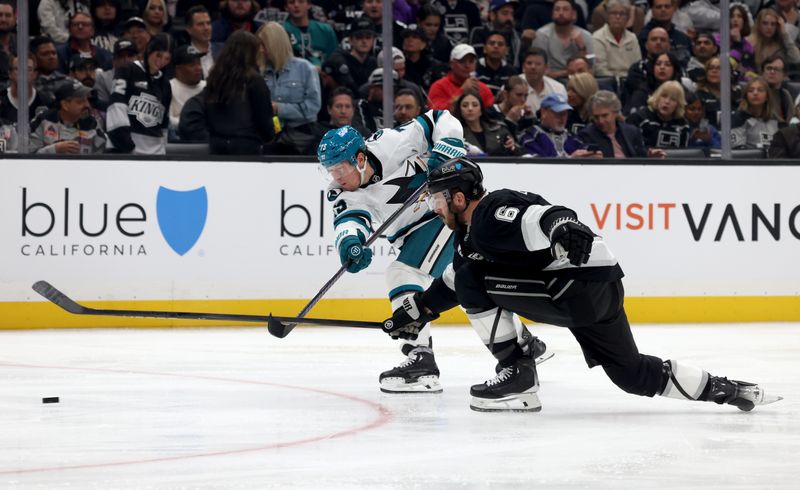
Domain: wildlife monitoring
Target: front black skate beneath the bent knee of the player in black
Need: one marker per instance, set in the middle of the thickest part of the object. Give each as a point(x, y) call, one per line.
point(512, 390)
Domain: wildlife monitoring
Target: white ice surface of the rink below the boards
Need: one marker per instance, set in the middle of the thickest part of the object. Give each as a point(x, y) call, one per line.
point(236, 408)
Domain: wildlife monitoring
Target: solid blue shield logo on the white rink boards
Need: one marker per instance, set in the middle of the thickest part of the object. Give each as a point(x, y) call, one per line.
point(181, 217)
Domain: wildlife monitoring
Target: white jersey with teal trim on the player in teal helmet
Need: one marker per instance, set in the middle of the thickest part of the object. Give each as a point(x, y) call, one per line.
point(399, 157)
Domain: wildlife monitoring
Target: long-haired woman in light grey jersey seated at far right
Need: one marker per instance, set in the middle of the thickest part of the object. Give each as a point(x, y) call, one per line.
point(757, 120)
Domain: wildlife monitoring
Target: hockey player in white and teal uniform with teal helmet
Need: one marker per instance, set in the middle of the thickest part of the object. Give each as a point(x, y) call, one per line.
point(370, 180)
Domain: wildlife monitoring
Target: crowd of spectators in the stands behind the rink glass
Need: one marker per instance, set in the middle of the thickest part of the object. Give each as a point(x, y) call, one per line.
point(538, 78)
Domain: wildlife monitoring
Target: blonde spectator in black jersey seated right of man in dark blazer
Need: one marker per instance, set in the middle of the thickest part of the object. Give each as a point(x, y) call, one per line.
point(662, 123)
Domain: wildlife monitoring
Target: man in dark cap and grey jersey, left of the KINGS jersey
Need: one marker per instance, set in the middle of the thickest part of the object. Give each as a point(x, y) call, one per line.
point(68, 128)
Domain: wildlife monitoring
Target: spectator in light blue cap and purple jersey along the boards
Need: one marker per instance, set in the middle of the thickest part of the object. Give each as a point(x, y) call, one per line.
point(550, 137)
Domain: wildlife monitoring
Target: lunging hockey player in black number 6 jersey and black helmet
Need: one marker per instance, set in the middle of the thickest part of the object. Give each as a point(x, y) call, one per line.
point(517, 253)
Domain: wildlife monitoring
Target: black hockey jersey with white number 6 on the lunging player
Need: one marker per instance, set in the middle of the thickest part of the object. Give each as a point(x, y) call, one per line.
point(509, 231)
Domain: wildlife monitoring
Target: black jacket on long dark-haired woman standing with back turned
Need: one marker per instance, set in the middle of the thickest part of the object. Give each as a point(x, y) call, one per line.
point(244, 125)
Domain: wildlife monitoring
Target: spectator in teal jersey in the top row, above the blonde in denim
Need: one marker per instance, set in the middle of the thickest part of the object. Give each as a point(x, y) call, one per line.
point(313, 40)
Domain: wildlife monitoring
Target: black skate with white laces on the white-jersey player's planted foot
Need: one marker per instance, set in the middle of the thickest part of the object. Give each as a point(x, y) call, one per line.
point(417, 374)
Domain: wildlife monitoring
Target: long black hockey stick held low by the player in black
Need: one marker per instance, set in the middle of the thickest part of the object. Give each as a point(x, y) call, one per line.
point(65, 302)
